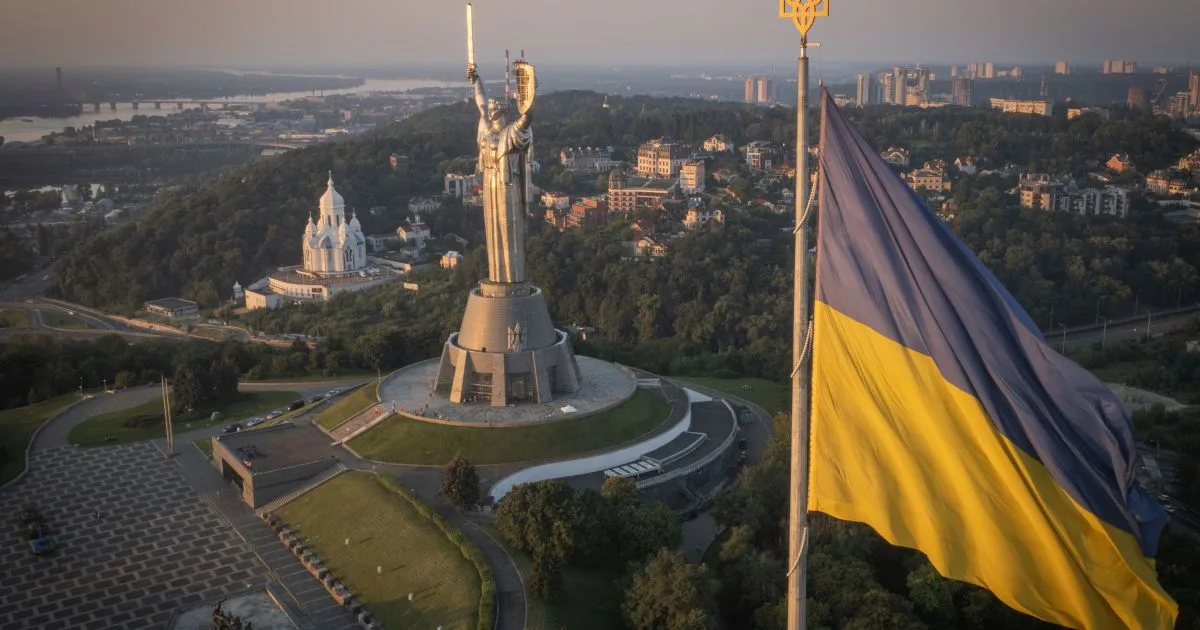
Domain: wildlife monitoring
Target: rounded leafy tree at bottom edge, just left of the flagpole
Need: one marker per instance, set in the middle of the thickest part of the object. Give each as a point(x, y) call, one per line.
point(671, 595)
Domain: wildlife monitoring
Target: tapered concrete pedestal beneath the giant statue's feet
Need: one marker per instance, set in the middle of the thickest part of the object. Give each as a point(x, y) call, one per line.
point(507, 351)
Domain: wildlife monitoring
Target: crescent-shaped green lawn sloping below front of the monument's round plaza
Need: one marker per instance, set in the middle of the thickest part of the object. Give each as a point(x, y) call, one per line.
point(405, 441)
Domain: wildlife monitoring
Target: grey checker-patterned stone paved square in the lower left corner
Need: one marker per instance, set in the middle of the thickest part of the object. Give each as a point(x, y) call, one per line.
point(154, 549)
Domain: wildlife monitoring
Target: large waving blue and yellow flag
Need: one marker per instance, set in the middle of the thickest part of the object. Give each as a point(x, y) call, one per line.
point(943, 419)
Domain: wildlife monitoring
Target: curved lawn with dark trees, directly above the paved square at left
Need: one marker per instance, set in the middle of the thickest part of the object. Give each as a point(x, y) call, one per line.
point(95, 431)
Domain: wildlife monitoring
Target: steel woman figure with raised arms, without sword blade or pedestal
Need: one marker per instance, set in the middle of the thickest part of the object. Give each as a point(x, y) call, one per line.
point(505, 165)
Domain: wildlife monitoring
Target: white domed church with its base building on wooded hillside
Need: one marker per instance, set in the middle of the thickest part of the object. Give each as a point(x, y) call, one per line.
point(335, 261)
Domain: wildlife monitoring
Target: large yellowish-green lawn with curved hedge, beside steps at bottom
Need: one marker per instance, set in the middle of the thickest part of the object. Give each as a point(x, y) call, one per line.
point(386, 531)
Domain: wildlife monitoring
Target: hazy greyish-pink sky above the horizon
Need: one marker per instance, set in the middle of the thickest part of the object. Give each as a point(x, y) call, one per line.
point(255, 33)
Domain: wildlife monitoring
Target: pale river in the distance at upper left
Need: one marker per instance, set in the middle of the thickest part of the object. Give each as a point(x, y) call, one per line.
point(27, 129)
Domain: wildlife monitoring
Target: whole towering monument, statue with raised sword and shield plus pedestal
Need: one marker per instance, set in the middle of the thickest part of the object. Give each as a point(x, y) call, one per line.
point(507, 351)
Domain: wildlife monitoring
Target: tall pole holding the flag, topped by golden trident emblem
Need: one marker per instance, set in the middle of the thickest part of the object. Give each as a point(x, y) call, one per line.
point(803, 14)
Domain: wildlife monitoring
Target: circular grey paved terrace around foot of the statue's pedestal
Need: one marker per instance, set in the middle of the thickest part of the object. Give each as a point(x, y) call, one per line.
point(412, 389)
